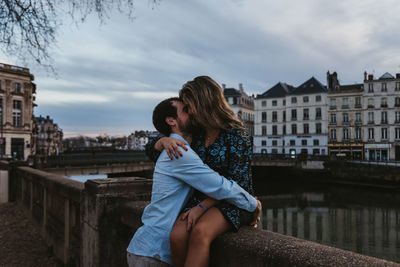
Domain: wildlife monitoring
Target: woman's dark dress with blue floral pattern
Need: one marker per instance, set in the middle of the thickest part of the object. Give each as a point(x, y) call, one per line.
point(230, 156)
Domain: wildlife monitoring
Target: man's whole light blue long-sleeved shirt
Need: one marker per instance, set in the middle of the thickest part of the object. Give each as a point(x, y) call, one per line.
point(173, 181)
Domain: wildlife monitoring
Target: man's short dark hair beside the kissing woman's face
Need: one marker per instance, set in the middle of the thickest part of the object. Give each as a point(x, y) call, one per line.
point(161, 111)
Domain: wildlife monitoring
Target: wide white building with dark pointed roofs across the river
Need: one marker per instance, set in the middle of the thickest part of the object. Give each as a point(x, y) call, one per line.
point(292, 120)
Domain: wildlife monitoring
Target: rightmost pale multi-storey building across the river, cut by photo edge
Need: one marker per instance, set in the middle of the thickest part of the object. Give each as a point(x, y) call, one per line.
point(381, 117)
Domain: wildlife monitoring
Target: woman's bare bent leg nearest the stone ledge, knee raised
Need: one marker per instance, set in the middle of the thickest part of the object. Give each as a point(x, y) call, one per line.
point(208, 227)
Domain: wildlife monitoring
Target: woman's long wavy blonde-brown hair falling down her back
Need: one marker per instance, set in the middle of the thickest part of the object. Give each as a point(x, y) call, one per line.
point(206, 99)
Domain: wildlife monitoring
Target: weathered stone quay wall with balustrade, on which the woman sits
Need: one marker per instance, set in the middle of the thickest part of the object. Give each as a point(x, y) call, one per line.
point(91, 224)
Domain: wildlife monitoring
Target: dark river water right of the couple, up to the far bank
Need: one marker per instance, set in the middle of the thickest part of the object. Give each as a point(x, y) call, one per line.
point(363, 220)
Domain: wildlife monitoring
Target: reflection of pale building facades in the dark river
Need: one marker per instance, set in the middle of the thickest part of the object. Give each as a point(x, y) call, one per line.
point(367, 229)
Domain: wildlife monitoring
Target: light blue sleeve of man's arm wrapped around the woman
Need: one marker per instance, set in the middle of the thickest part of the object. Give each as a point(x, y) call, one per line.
point(190, 169)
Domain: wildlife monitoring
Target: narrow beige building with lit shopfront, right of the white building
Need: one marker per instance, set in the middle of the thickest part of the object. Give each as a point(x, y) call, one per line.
point(345, 117)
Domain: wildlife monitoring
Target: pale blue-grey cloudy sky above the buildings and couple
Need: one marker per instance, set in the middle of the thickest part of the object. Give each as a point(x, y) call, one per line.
point(111, 76)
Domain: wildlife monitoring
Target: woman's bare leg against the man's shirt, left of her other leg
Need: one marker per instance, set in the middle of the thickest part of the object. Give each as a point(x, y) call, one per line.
point(179, 239)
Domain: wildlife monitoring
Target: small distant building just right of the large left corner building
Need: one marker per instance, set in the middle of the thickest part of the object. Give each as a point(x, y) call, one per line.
point(48, 137)
